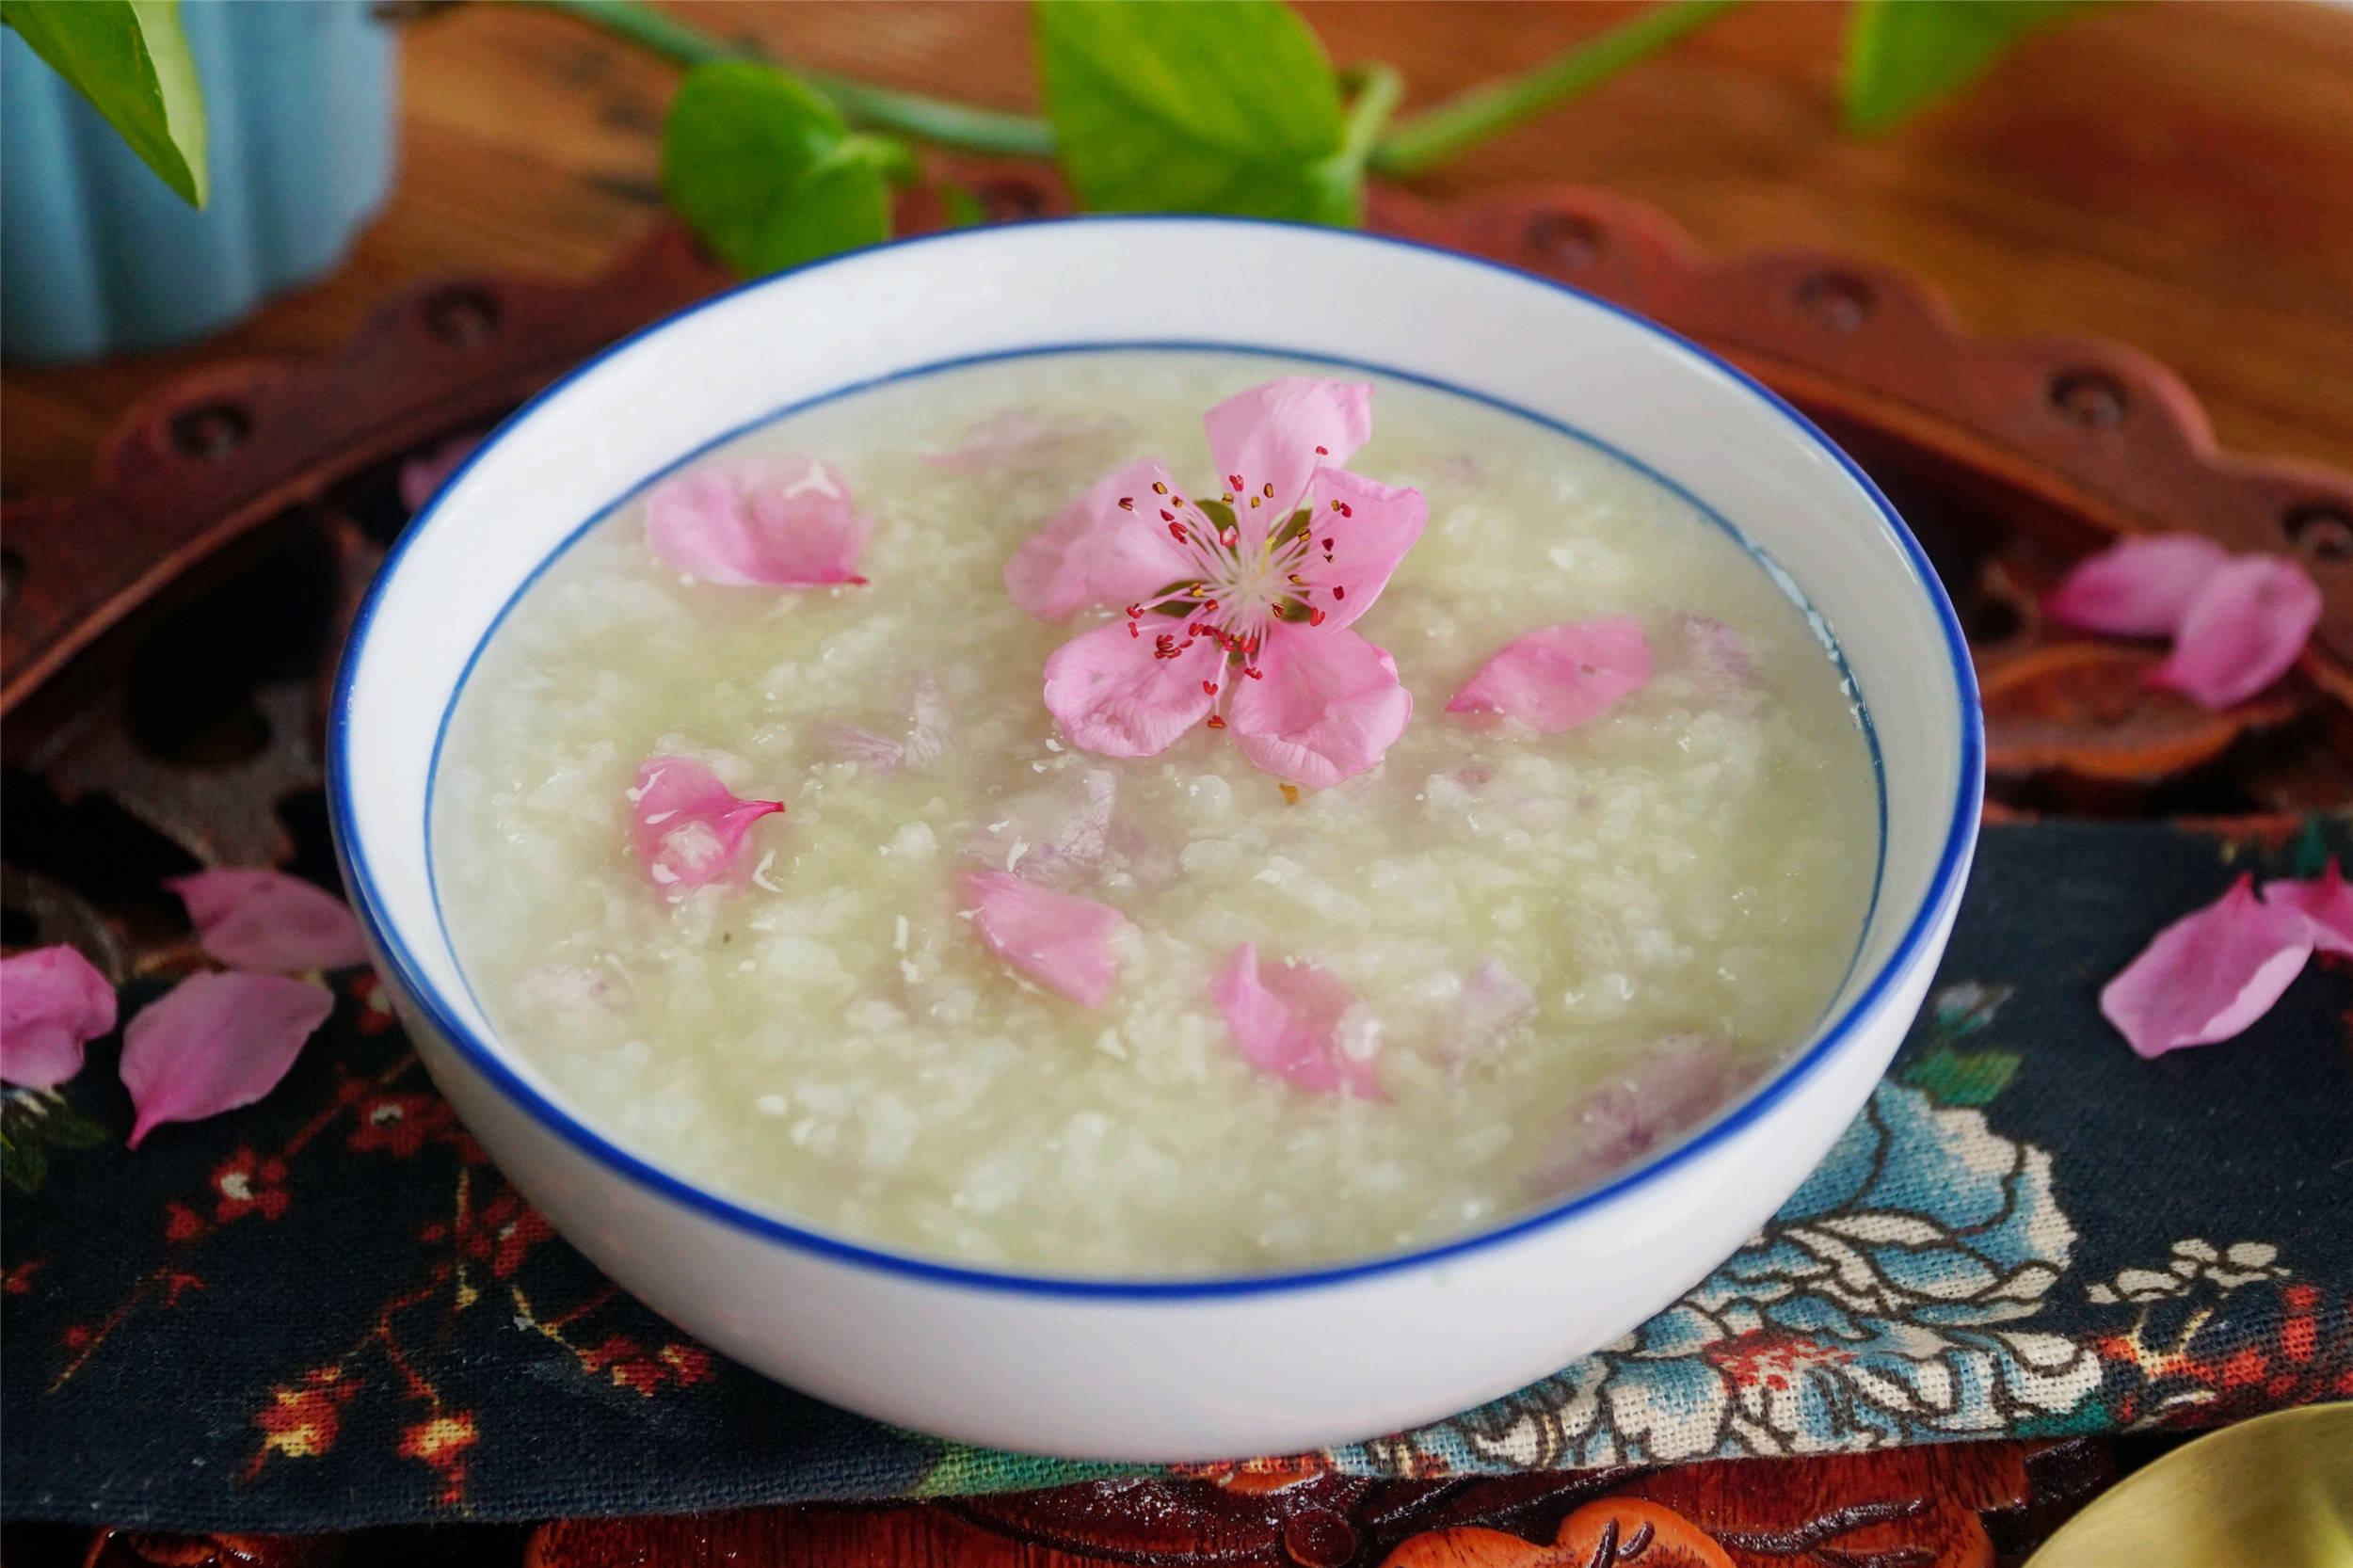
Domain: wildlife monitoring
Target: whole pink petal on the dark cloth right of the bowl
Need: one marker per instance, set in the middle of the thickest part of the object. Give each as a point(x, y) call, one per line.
point(2211, 974)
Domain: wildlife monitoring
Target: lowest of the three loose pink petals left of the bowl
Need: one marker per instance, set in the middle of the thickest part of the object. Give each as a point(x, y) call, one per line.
point(218, 1042)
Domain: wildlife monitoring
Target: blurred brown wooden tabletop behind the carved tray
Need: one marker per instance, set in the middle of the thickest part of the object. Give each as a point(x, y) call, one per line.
point(2178, 178)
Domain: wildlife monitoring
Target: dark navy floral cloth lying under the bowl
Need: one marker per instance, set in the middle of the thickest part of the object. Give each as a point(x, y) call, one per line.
point(331, 1310)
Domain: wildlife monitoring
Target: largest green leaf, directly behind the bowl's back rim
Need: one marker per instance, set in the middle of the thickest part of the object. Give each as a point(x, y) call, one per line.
point(1222, 107)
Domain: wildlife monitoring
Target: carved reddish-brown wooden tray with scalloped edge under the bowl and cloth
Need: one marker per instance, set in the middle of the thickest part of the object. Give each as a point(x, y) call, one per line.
point(168, 639)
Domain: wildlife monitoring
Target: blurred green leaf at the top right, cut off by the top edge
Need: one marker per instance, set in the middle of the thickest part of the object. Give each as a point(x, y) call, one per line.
point(1902, 55)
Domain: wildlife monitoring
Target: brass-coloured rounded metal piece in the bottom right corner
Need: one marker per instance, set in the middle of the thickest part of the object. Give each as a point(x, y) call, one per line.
point(2267, 1494)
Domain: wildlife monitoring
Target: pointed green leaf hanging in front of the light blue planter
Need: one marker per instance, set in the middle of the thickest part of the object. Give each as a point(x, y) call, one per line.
point(133, 62)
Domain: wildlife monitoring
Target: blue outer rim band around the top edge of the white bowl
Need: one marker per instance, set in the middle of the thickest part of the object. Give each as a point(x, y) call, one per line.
point(1945, 886)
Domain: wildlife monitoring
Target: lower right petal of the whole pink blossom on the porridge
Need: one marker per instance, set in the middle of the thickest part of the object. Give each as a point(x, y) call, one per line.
point(1326, 707)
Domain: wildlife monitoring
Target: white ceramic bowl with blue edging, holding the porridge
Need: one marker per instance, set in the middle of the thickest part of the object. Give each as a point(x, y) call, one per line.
point(1197, 1369)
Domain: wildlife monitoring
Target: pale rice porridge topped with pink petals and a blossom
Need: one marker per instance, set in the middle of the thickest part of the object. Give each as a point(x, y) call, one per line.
point(931, 823)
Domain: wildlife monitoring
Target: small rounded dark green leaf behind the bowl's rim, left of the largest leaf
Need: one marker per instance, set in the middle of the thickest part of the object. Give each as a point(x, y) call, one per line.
point(766, 171)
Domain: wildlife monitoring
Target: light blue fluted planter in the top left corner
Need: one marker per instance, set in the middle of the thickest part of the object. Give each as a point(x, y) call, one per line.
point(95, 251)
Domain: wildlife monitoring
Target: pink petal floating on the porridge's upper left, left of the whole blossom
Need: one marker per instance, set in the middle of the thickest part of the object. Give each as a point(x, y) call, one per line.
point(761, 521)
